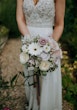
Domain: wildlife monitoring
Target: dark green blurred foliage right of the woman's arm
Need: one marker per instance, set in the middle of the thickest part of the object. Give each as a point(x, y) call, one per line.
point(70, 31)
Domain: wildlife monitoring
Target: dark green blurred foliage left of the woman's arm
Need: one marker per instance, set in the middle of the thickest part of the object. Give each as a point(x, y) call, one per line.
point(8, 16)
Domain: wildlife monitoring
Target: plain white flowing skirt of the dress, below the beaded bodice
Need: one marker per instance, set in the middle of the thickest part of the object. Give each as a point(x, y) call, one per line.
point(51, 85)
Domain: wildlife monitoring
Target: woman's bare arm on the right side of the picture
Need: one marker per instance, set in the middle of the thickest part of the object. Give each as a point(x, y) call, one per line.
point(59, 19)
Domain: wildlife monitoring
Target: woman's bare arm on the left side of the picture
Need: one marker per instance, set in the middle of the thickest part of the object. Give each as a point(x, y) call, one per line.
point(21, 19)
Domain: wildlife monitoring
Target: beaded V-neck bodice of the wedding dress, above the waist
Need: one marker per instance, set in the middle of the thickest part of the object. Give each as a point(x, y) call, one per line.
point(39, 15)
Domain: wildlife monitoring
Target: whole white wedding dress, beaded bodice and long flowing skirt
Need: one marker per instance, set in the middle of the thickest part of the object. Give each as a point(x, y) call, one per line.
point(40, 20)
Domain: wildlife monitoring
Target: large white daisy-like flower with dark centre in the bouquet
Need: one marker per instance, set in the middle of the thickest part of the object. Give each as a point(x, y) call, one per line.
point(34, 49)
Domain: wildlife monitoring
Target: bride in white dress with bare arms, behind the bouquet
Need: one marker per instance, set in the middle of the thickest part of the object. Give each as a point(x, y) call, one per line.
point(46, 18)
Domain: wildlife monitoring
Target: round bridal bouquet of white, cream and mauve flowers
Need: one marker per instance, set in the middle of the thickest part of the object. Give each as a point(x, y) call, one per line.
point(40, 54)
